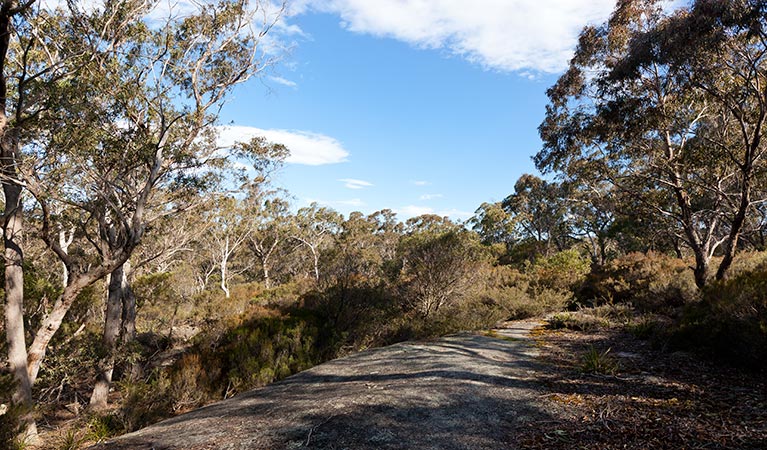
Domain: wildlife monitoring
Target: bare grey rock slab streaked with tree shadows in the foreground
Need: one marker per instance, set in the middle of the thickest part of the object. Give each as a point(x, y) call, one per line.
point(466, 391)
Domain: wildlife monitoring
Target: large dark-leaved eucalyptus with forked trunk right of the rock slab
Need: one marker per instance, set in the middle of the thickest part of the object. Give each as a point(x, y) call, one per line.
point(670, 108)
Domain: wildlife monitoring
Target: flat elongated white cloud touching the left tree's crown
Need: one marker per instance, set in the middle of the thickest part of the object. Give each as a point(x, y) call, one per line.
point(305, 147)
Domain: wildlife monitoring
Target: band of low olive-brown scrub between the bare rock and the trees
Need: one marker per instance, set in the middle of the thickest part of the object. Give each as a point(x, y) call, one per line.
point(195, 347)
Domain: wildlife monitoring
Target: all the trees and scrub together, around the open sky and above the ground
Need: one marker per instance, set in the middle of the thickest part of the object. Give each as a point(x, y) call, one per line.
point(146, 272)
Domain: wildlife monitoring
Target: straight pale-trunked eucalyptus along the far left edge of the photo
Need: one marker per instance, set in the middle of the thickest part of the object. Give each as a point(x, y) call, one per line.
point(20, 69)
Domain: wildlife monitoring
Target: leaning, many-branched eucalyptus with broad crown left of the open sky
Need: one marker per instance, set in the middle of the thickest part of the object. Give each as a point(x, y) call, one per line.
point(137, 119)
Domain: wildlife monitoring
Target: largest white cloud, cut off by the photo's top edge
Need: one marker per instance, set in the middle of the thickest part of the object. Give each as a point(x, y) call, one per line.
point(506, 35)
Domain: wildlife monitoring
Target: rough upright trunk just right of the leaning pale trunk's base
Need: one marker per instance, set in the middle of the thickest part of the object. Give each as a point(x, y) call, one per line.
point(100, 395)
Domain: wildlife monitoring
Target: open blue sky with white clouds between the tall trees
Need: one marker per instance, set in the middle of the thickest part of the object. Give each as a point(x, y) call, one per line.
point(416, 106)
